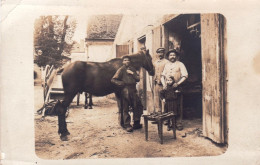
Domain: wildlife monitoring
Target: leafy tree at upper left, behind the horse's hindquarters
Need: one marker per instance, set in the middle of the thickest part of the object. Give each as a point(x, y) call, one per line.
point(53, 38)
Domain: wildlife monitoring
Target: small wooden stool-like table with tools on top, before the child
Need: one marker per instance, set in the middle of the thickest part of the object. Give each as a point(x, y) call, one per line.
point(159, 119)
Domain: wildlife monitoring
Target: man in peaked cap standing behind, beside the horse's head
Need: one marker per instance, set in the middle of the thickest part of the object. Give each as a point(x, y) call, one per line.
point(158, 67)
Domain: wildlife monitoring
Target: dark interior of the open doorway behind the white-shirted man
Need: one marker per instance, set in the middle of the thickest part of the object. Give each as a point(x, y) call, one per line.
point(184, 35)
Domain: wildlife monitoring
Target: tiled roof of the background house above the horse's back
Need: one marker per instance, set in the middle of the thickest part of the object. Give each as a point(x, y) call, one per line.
point(103, 26)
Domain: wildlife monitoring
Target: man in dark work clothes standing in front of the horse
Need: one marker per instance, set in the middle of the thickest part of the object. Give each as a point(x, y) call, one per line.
point(126, 78)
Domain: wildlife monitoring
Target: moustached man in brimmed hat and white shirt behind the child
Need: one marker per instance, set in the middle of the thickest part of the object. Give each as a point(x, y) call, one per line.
point(177, 70)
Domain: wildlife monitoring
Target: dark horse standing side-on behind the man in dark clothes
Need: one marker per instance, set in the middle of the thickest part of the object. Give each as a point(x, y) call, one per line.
point(94, 78)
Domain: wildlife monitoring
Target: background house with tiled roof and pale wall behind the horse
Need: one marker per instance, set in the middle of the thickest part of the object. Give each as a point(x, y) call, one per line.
point(101, 32)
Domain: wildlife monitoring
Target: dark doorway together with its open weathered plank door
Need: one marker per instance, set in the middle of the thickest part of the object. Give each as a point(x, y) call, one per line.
point(200, 39)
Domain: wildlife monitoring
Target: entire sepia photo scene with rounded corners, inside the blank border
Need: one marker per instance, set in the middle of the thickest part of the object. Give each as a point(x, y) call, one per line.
point(130, 86)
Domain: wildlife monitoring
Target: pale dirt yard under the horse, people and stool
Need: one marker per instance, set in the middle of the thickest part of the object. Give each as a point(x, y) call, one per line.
point(96, 134)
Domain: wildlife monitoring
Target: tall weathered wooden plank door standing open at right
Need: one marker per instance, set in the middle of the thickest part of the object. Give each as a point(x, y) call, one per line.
point(213, 77)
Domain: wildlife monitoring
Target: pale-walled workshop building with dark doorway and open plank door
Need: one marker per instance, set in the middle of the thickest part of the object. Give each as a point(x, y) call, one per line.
point(201, 41)
